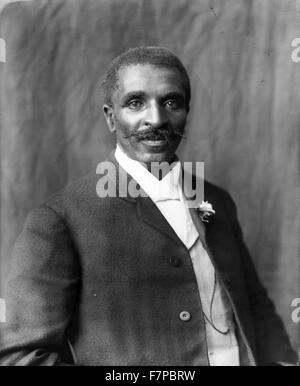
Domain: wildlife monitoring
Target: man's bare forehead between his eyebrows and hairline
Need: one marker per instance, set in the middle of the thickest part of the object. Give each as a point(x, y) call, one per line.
point(150, 79)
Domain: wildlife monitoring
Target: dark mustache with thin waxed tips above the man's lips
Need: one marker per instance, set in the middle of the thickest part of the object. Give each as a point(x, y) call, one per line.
point(155, 133)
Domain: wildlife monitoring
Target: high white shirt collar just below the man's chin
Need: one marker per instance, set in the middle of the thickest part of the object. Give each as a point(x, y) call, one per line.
point(168, 188)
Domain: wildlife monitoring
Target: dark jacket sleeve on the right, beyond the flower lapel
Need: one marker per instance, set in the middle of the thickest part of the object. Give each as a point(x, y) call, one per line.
point(271, 338)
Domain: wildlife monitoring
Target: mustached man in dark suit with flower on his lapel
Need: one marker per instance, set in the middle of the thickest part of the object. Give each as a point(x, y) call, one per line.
point(141, 279)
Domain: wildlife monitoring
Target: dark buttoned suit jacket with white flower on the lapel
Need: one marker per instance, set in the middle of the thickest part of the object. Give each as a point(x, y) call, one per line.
point(93, 281)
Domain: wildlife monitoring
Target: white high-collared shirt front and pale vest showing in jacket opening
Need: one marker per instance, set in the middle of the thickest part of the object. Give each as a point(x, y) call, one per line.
point(168, 196)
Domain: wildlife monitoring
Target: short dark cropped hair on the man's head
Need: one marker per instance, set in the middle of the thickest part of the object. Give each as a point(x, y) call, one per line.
point(157, 56)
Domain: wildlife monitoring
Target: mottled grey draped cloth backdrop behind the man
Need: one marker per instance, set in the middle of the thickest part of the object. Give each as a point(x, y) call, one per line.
point(243, 123)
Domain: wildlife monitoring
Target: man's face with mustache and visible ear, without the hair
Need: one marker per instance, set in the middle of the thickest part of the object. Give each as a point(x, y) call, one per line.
point(149, 112)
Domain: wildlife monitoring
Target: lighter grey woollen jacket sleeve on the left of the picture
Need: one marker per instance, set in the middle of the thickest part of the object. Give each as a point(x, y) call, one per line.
point(40, 294)
